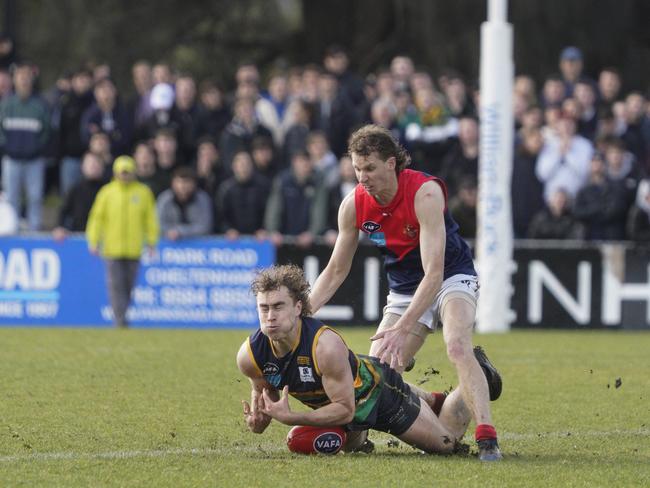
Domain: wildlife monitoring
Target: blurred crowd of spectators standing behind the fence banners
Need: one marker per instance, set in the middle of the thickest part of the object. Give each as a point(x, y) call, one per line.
point(267, 158)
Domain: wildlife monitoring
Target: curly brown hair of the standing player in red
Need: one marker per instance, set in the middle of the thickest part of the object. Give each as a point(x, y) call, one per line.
point(376, 139)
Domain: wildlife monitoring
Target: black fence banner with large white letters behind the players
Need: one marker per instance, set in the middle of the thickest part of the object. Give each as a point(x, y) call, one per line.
point(555, 285)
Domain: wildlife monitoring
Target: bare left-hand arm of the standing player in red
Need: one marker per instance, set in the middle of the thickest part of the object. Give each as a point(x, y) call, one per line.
point(340, 262)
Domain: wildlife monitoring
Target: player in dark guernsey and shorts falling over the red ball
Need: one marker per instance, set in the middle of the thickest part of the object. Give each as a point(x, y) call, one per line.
point(294, 354)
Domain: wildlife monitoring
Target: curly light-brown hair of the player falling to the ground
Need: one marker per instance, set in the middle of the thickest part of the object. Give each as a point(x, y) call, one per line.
point(288, 275)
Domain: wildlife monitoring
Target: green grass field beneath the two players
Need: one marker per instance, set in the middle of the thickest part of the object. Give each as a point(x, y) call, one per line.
point(162, 408)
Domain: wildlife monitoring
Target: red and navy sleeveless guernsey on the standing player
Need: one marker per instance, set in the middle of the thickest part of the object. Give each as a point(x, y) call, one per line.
point(395, 229)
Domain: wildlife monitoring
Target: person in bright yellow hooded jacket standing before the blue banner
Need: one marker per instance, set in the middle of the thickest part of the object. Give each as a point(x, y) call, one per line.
point(122, 222)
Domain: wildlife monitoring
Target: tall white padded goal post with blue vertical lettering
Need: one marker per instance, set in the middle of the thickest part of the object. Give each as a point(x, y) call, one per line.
point(494, 219)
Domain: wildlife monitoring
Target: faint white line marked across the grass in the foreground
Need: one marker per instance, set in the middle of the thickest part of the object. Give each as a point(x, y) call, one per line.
point(157, 453)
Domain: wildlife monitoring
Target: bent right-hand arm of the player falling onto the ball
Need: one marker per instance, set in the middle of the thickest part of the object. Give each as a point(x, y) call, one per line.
point(332, 357)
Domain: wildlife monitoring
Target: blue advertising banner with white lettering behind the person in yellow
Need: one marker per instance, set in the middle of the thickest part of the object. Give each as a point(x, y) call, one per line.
point(200, 283)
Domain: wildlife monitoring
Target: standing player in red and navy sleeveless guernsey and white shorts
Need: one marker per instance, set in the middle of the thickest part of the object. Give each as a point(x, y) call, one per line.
point(429, 267)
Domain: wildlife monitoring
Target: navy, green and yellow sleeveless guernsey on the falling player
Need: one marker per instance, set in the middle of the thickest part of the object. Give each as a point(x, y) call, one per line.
point(299, 369)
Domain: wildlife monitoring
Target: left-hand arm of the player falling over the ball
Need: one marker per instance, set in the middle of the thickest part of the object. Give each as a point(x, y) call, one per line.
point(256, 419)
